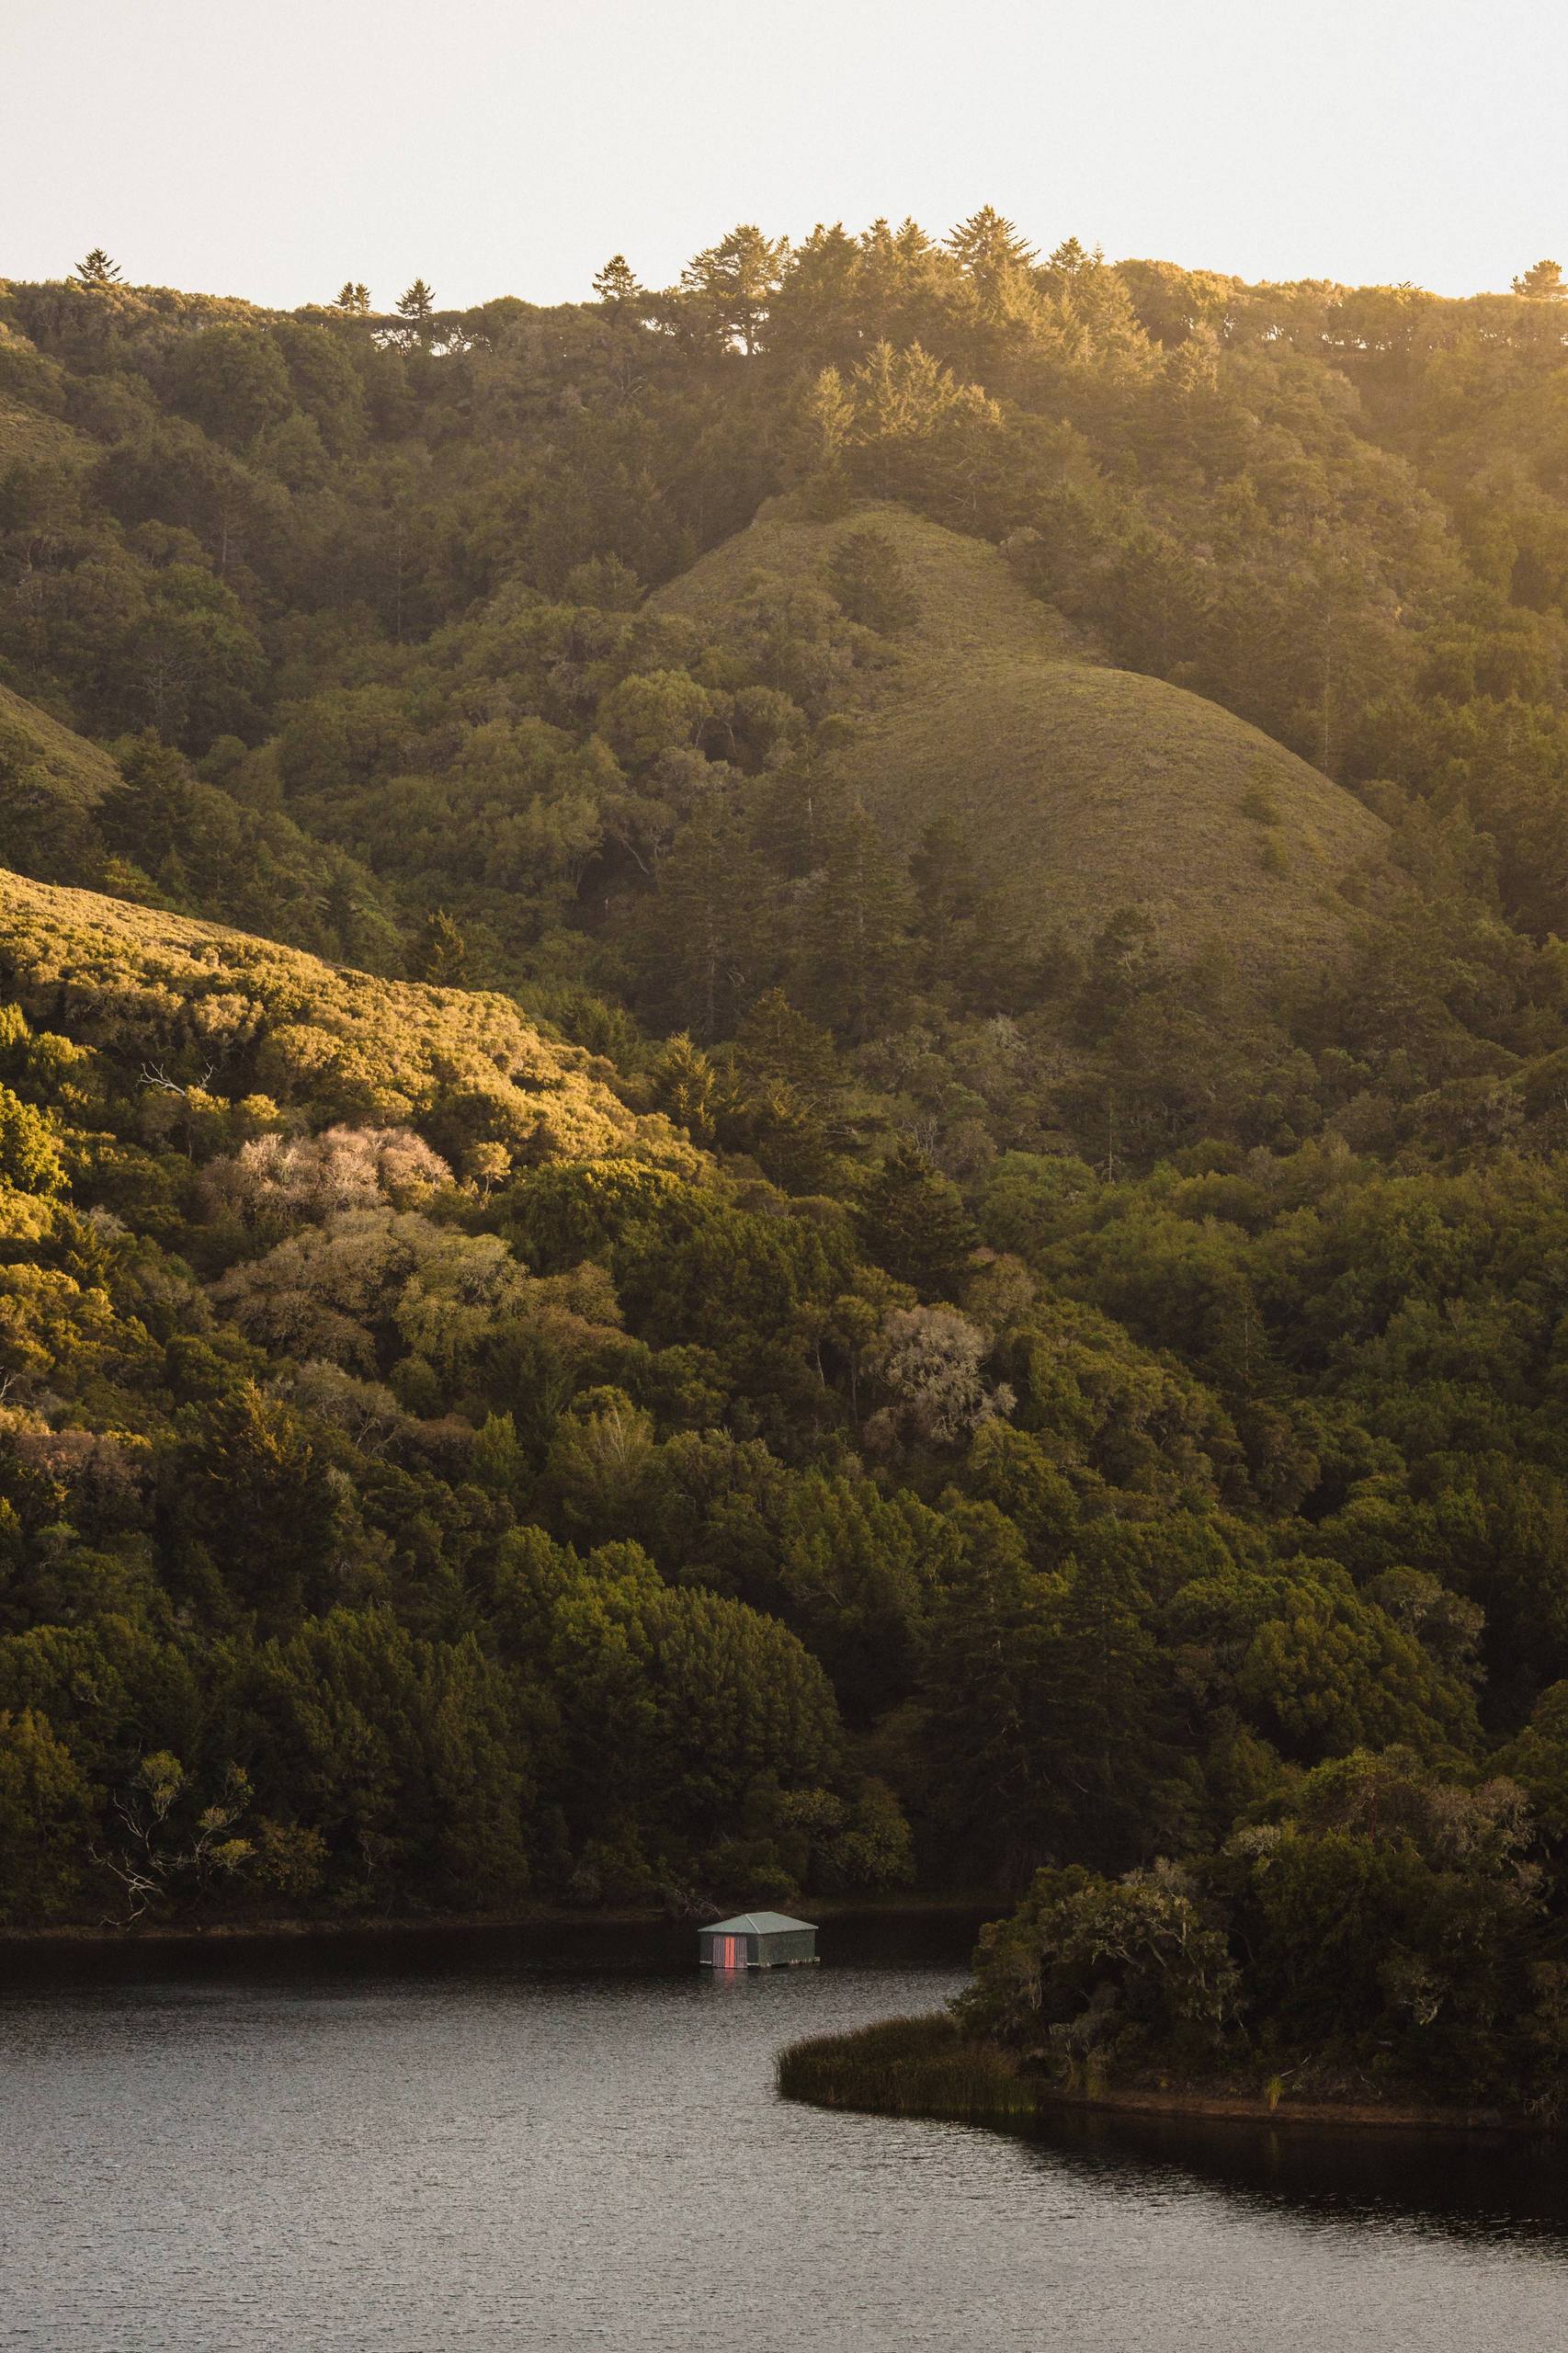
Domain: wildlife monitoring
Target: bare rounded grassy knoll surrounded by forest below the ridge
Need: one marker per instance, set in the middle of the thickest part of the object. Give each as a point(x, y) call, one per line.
point(1082, 789)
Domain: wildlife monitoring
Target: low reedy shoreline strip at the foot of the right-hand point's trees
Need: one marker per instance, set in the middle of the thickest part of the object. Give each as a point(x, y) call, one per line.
point(926, 2069)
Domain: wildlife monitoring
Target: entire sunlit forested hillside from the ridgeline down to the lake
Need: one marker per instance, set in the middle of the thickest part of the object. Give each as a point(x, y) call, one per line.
point(785, 1112)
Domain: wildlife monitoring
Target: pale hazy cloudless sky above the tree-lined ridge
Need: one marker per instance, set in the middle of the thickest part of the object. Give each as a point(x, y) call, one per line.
point(507, 147)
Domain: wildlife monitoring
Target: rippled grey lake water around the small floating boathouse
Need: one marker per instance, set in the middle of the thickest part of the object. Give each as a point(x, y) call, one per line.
point(420, 2152)
